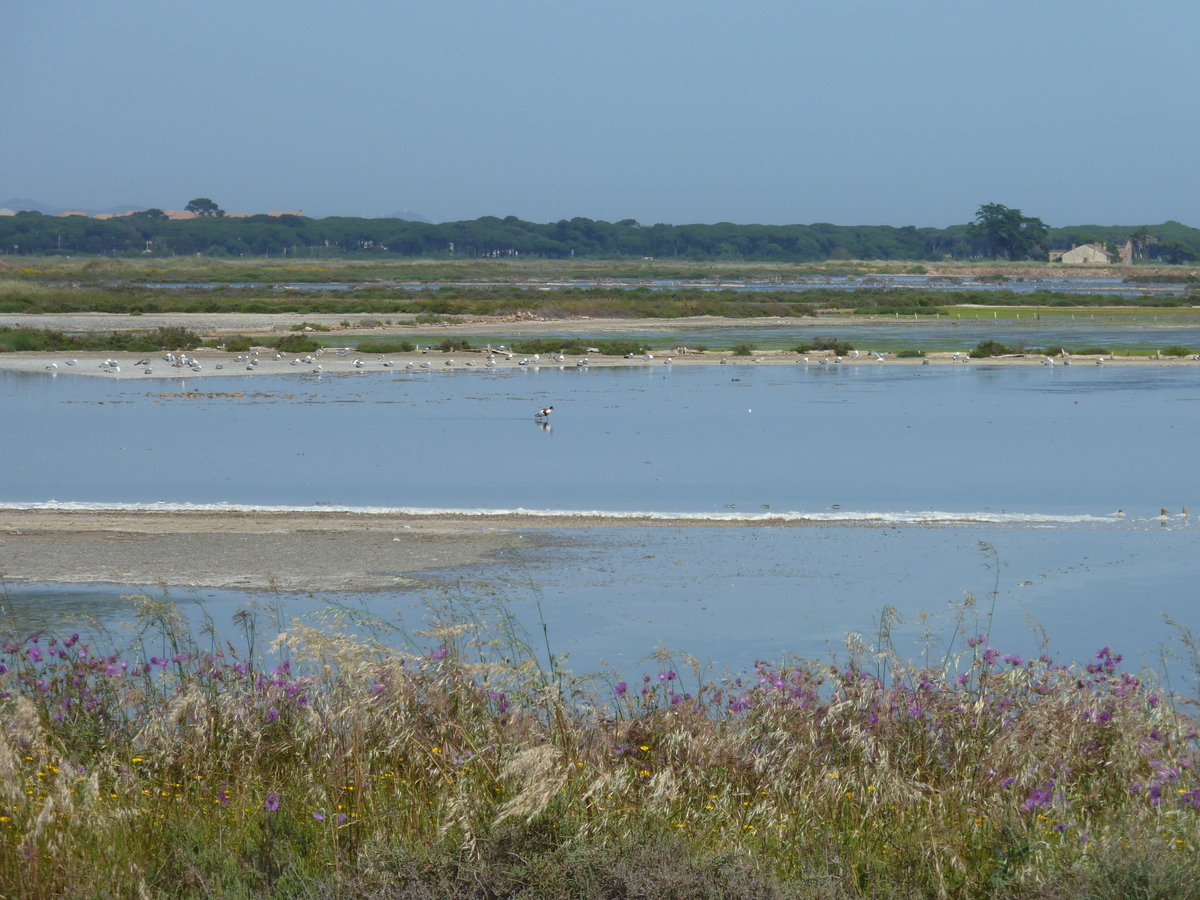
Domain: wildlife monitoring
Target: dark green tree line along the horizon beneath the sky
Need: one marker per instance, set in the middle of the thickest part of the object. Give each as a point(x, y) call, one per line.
point(997, 233)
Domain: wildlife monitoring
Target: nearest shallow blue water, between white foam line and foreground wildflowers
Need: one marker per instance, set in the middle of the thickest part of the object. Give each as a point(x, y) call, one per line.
point(731, 596)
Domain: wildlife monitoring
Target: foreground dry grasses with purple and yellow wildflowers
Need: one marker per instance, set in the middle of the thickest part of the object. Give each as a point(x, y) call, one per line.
point(343, 767)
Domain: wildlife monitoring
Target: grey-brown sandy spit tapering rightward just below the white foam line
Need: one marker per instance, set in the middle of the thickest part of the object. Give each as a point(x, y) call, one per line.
point(290, 551)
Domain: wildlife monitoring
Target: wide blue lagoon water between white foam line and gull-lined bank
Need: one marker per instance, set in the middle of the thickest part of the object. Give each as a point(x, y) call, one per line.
point(730, 441)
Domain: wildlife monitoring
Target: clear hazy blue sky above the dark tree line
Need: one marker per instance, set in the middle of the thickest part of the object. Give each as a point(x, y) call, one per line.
point(859, 112)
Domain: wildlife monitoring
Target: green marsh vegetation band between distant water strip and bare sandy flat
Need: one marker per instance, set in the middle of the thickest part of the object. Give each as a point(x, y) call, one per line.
point(436, 304)
